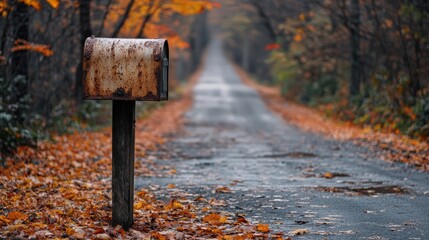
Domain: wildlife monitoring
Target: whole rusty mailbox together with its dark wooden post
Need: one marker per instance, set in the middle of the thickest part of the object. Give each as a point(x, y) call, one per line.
point(125, 71)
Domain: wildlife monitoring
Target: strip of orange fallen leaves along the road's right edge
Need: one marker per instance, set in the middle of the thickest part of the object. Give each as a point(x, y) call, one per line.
point(388, 146)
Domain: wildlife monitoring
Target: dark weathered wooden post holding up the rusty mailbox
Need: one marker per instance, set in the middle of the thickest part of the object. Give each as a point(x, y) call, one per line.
point(123, 162)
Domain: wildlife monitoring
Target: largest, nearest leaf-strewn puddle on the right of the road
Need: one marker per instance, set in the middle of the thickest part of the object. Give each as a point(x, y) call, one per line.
point(365, 191)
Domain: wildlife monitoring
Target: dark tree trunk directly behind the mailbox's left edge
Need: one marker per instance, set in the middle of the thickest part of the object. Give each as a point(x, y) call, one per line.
point(85, 32)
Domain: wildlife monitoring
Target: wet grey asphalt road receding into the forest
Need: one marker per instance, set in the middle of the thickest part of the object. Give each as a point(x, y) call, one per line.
point(278, 172)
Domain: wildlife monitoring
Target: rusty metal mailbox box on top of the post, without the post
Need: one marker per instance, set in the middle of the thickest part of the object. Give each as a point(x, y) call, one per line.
point(125, 69)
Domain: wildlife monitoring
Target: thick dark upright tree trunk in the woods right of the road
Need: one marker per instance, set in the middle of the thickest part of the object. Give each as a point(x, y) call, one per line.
point(356, 71)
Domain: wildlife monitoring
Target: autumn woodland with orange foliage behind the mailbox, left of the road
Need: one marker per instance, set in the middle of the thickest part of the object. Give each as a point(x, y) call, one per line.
point(41, 44)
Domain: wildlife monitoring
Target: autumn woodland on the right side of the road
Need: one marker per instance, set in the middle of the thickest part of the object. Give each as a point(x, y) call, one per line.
point(362, 61)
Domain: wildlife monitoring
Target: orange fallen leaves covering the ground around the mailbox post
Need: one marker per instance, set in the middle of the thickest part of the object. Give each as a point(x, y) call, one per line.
point(62, 189)
